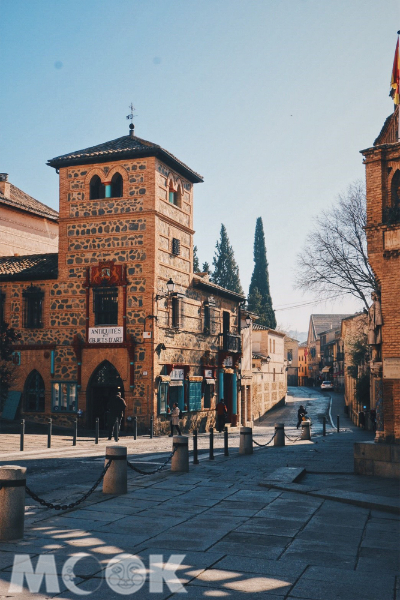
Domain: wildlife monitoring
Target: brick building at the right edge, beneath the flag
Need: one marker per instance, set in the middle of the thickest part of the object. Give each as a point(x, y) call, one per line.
point(382, 163)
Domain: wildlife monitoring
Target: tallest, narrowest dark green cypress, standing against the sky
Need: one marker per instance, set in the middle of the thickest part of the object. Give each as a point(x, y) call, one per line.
point(259, 300)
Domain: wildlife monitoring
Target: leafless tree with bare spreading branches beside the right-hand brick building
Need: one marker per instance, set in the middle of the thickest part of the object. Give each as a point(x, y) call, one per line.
point(334, 257)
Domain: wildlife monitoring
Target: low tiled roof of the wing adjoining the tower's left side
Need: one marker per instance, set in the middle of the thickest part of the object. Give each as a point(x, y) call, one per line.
point(32, 266)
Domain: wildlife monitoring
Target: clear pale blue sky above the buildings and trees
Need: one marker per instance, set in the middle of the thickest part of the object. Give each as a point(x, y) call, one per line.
point(270, 100)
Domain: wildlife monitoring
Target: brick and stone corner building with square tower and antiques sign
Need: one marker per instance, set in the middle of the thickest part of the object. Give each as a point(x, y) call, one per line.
point(118, 307)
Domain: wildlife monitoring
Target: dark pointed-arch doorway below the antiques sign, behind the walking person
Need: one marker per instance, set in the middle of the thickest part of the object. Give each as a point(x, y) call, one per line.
point(104, 383)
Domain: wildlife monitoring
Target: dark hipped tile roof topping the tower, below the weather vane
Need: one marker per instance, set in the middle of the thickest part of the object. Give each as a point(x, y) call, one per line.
point(120, 149)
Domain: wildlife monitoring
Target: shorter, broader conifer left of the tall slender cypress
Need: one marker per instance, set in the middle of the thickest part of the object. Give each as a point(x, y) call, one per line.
point(226, 271)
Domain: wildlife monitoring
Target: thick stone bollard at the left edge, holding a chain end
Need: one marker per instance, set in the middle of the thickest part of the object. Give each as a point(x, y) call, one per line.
point(12, 502)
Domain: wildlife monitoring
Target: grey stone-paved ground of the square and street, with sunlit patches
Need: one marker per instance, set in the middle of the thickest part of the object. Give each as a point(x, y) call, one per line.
point(244, 532)
